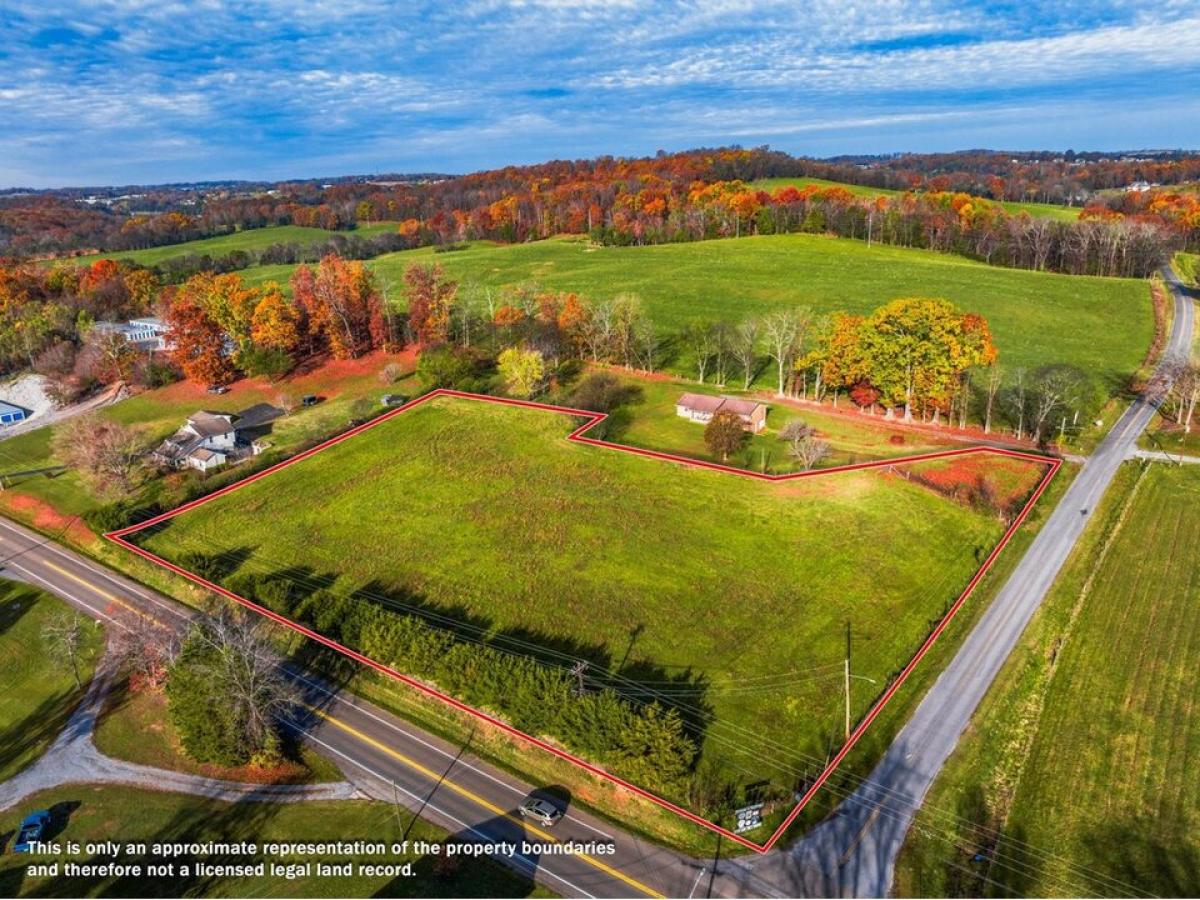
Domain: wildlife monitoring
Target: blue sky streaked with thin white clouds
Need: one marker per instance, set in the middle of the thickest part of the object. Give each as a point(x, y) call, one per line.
point(121, 92)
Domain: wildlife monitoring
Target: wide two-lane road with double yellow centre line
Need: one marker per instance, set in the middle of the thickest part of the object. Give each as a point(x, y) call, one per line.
point(389, 759)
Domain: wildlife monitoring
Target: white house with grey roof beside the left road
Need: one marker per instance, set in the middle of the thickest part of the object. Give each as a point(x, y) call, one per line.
point(208, 441)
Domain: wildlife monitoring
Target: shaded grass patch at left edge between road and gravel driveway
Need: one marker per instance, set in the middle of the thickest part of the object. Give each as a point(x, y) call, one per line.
point(39, 692)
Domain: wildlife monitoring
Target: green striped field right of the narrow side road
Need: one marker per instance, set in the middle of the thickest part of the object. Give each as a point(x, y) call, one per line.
point(1082, 755)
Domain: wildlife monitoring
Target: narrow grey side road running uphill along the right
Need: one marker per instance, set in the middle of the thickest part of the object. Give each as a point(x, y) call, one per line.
point(855, 851)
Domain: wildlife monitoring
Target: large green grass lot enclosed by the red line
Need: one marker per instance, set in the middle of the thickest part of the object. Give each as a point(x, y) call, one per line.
point(488, 512)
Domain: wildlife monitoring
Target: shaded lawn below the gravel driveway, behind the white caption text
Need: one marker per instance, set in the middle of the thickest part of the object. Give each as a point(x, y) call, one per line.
point(129, 815)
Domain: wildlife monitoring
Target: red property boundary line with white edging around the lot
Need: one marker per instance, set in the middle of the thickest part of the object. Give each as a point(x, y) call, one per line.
point(578, 436)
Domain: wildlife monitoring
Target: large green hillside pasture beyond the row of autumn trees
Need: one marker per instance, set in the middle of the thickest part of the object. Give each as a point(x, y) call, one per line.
point(1102, 326)
